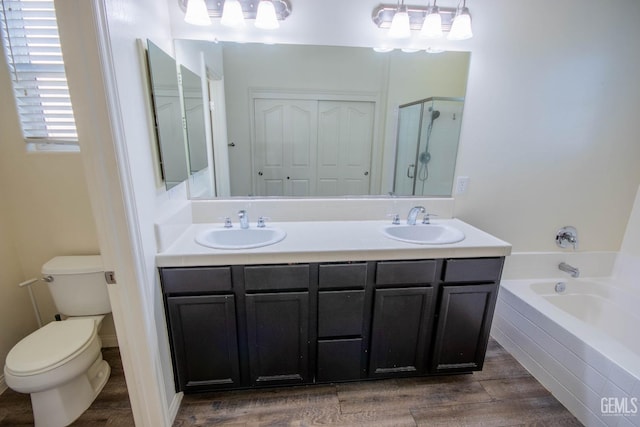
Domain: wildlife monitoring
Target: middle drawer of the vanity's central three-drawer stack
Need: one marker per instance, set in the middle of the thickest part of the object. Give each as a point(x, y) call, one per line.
point(340, 313)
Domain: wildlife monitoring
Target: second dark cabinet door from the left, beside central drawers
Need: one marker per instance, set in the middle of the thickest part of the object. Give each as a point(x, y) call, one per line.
point(278, 338)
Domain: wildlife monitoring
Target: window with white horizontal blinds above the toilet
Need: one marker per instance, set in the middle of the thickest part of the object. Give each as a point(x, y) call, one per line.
point(29, 34)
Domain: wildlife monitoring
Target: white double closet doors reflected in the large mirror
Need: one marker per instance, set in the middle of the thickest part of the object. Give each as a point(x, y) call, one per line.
point(312, 147)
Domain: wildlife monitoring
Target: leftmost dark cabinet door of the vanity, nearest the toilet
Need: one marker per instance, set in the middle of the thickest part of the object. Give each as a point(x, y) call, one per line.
point(205, 346)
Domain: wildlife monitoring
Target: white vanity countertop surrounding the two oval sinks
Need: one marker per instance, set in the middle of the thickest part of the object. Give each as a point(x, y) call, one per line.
point(330, 241)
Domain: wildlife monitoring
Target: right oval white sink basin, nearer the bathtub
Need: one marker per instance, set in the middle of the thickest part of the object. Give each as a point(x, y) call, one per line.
point(424, 234)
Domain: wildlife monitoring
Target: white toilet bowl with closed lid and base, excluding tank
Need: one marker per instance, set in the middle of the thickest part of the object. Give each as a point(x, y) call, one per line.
point(61, 366)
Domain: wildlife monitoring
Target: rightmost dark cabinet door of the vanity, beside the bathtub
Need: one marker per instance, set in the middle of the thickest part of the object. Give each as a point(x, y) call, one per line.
point(464, 321)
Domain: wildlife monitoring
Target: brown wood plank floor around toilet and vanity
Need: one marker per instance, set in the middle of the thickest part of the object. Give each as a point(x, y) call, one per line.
point(503, 394)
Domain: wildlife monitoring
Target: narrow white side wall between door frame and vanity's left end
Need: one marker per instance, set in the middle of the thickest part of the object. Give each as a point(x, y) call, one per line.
point(128, 21)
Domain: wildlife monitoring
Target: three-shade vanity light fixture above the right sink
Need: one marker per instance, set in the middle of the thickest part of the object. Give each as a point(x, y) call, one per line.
point(420, 18)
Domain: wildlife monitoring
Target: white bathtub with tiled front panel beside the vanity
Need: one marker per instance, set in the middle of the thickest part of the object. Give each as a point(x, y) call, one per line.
point(583, 344)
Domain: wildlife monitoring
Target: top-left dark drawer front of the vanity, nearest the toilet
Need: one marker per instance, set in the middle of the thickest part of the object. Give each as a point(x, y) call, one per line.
point(196, 280)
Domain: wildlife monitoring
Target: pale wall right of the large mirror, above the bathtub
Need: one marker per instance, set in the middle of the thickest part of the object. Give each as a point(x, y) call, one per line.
point(550, 135)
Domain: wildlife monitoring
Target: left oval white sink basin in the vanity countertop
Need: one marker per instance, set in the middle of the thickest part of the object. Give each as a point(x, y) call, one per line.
point(238, 238)
